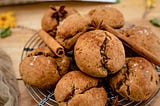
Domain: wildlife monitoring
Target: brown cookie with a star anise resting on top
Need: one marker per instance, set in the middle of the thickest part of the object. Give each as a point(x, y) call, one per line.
point(53, 16)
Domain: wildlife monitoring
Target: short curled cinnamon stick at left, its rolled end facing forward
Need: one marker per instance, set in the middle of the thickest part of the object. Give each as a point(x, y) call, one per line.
point(51, 43)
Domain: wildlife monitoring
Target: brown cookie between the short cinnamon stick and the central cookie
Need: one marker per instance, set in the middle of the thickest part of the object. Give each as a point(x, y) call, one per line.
point(70, 29)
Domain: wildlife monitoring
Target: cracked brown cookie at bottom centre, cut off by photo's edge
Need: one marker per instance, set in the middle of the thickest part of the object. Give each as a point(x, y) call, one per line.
point(78, 89)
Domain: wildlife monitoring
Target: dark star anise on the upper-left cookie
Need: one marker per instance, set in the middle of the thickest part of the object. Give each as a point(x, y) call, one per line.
point(59, 13)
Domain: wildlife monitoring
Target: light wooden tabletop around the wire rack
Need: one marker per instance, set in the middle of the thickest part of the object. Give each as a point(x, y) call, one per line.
point(30, 16)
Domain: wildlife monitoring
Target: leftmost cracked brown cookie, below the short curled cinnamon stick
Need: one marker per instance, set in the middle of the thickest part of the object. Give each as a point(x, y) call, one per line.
point(41, 68)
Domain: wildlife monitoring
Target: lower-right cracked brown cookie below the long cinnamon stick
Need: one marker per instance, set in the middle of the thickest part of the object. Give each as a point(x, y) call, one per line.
point(137, 80)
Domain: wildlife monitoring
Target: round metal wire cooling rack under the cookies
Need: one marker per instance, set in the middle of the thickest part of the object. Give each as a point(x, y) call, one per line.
point(46, 97)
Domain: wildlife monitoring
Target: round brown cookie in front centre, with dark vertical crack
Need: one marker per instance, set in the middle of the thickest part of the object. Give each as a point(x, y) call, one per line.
point(98, 53)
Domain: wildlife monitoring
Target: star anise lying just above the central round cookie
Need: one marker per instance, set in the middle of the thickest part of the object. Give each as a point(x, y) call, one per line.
point(96, 25)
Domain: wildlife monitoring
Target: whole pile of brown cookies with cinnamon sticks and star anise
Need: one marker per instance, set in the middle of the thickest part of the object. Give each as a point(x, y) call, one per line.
point(100, 48)
